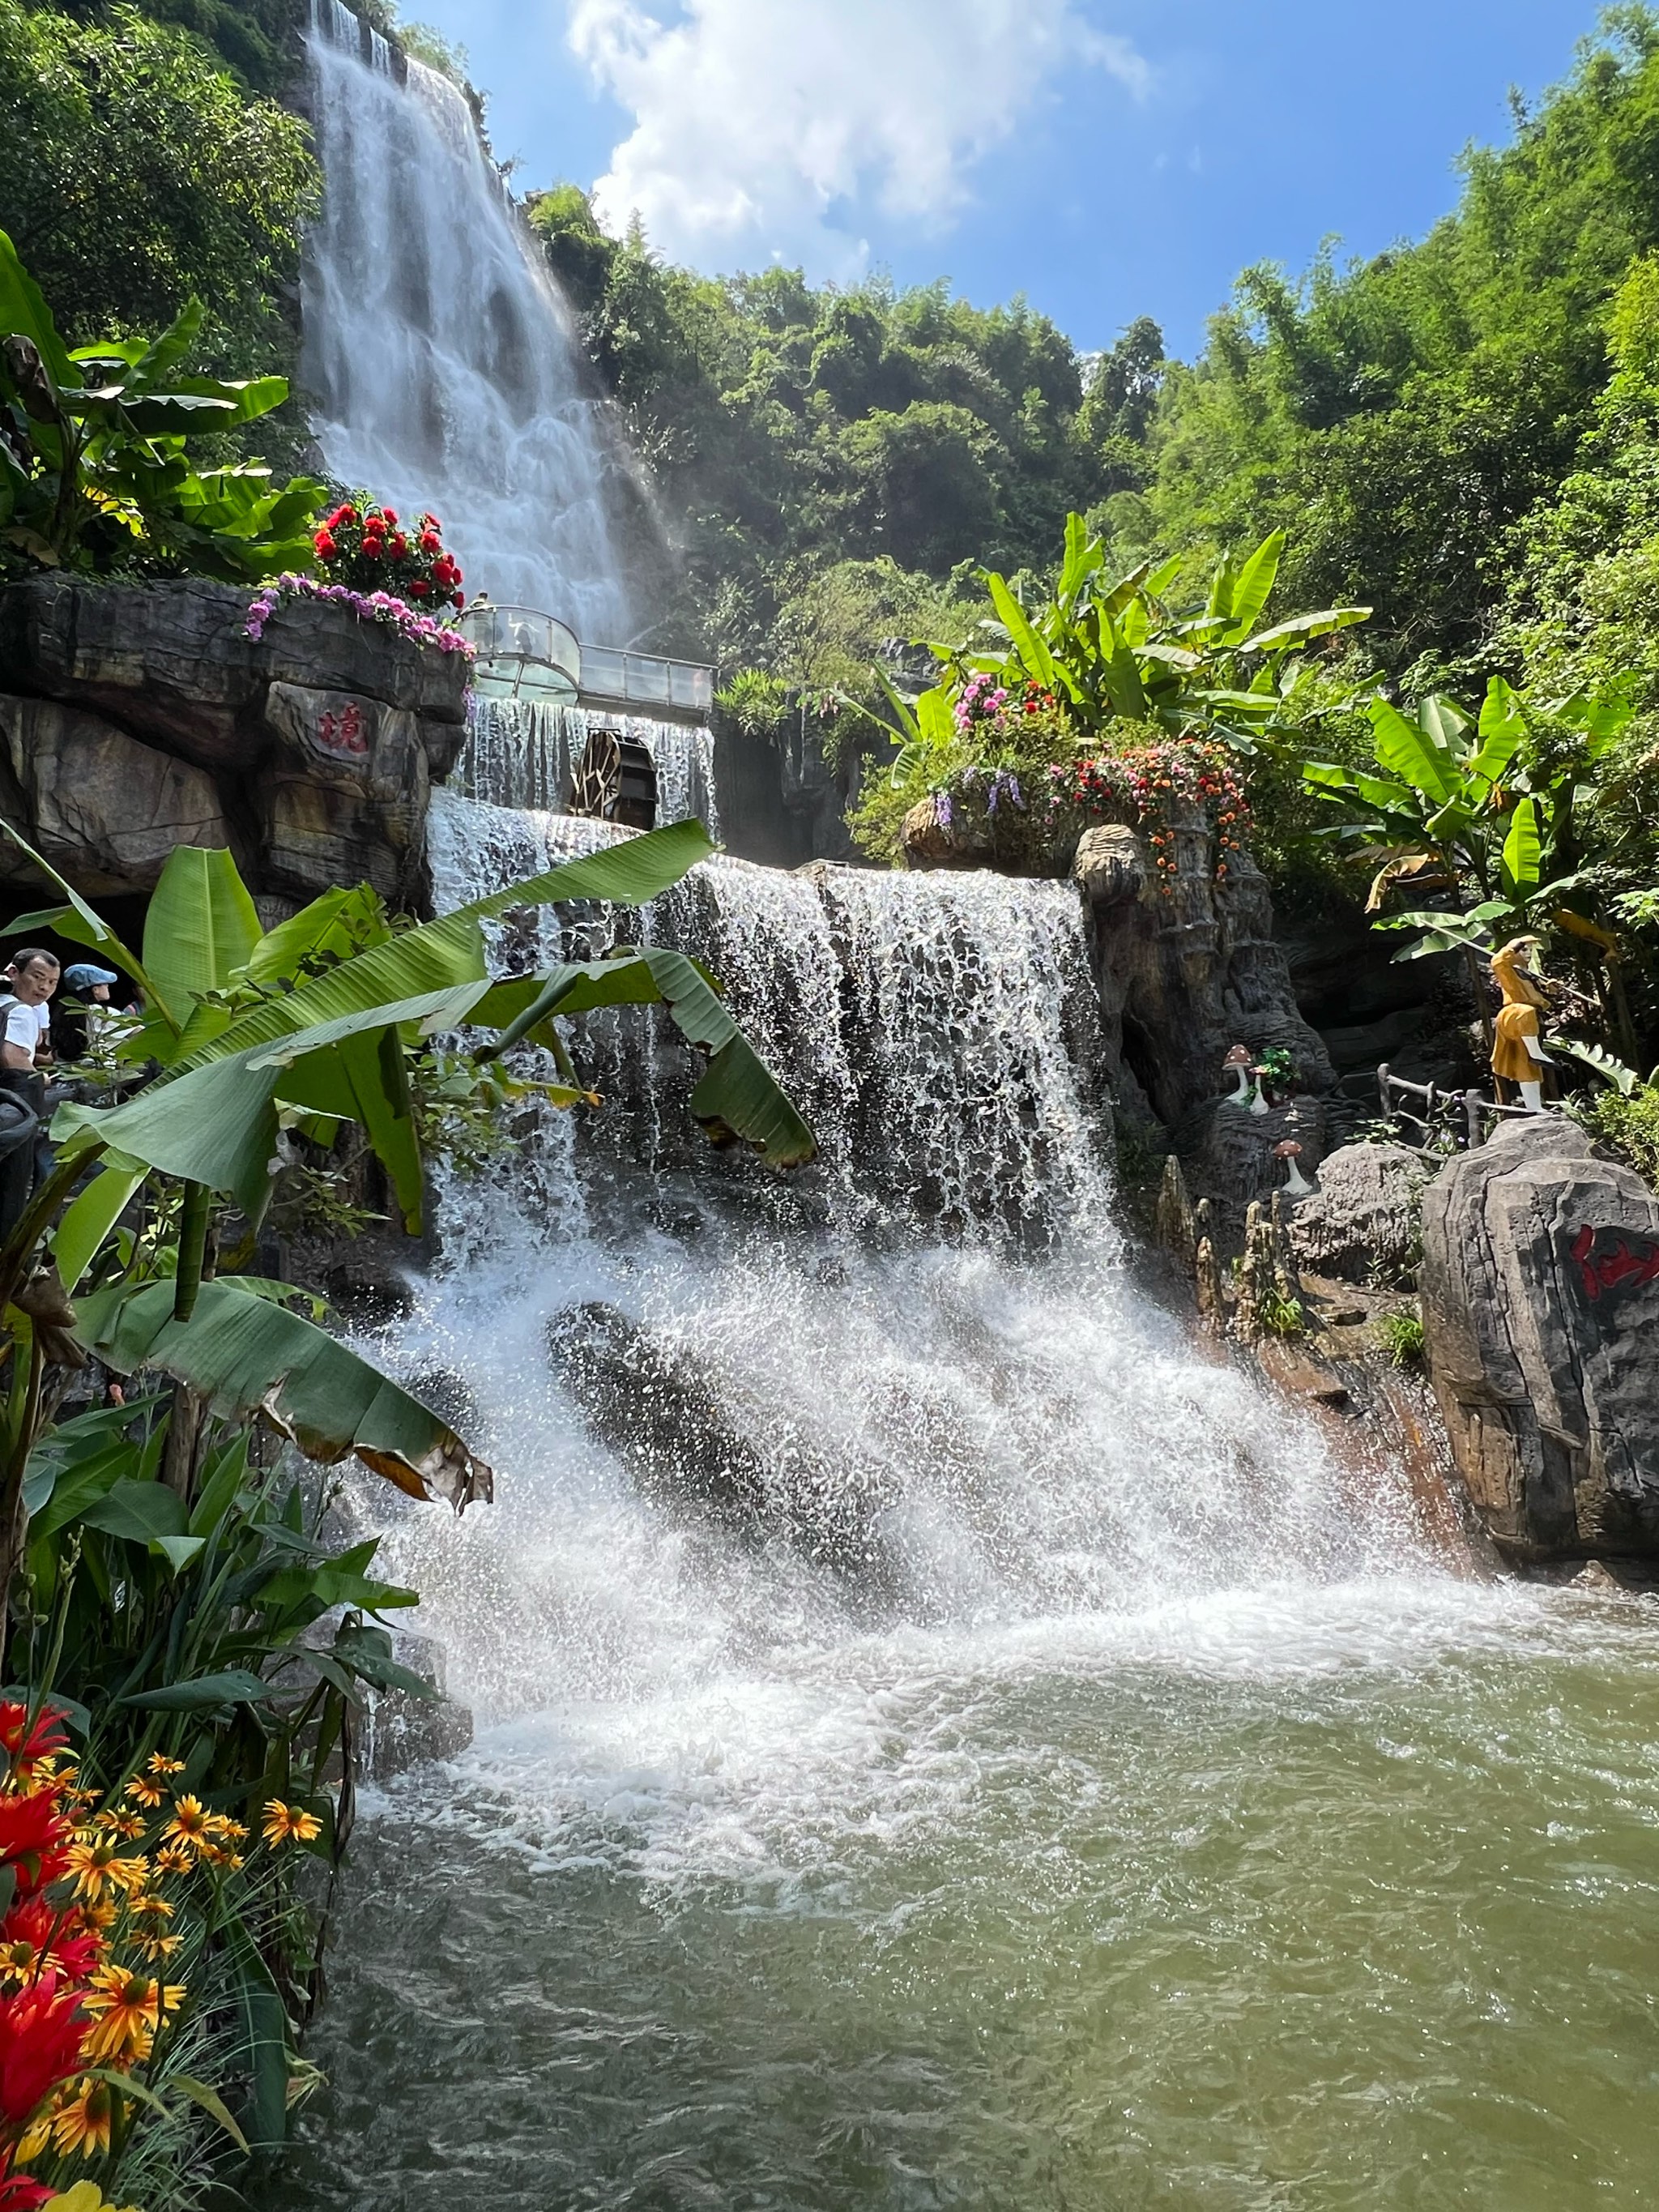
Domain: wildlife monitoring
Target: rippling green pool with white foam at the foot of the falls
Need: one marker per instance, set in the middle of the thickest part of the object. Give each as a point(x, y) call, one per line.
point(1284, 1901)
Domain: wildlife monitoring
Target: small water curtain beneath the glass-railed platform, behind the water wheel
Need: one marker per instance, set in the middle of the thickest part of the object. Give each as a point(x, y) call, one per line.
point(523, 753)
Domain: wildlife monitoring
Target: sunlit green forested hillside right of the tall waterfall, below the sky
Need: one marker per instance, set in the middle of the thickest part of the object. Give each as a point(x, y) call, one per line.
point(1457, 432)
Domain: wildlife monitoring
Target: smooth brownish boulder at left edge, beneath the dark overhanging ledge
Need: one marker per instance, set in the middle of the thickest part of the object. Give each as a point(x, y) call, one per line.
point(98, 804)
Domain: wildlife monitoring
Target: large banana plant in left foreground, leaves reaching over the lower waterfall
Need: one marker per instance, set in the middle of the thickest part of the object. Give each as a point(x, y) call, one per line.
point(313, 1025)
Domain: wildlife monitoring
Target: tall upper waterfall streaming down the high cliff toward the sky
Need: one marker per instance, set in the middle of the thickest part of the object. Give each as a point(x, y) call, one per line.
point(441, 359)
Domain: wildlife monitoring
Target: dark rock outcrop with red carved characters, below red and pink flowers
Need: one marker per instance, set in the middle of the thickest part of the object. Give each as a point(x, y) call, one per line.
point(145, 718)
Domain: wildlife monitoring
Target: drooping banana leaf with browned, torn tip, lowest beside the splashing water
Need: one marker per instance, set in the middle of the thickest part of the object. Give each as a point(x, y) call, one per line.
point(251, 1357)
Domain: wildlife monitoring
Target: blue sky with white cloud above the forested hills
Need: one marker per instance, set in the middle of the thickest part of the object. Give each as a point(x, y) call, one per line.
point(1107, 160)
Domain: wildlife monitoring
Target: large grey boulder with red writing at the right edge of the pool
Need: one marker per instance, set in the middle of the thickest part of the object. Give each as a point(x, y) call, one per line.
point(1541, 1306)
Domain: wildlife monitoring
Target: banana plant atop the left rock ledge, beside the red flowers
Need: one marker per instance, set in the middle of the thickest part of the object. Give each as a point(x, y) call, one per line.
point(94, 470)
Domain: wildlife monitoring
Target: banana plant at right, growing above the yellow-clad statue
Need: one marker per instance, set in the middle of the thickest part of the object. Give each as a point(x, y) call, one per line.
point(1465, 806)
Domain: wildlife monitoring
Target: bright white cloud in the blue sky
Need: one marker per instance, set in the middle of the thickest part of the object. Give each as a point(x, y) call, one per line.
point(771, 127)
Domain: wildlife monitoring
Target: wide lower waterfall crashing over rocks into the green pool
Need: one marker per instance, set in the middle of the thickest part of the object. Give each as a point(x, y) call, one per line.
point(924, 1357)
